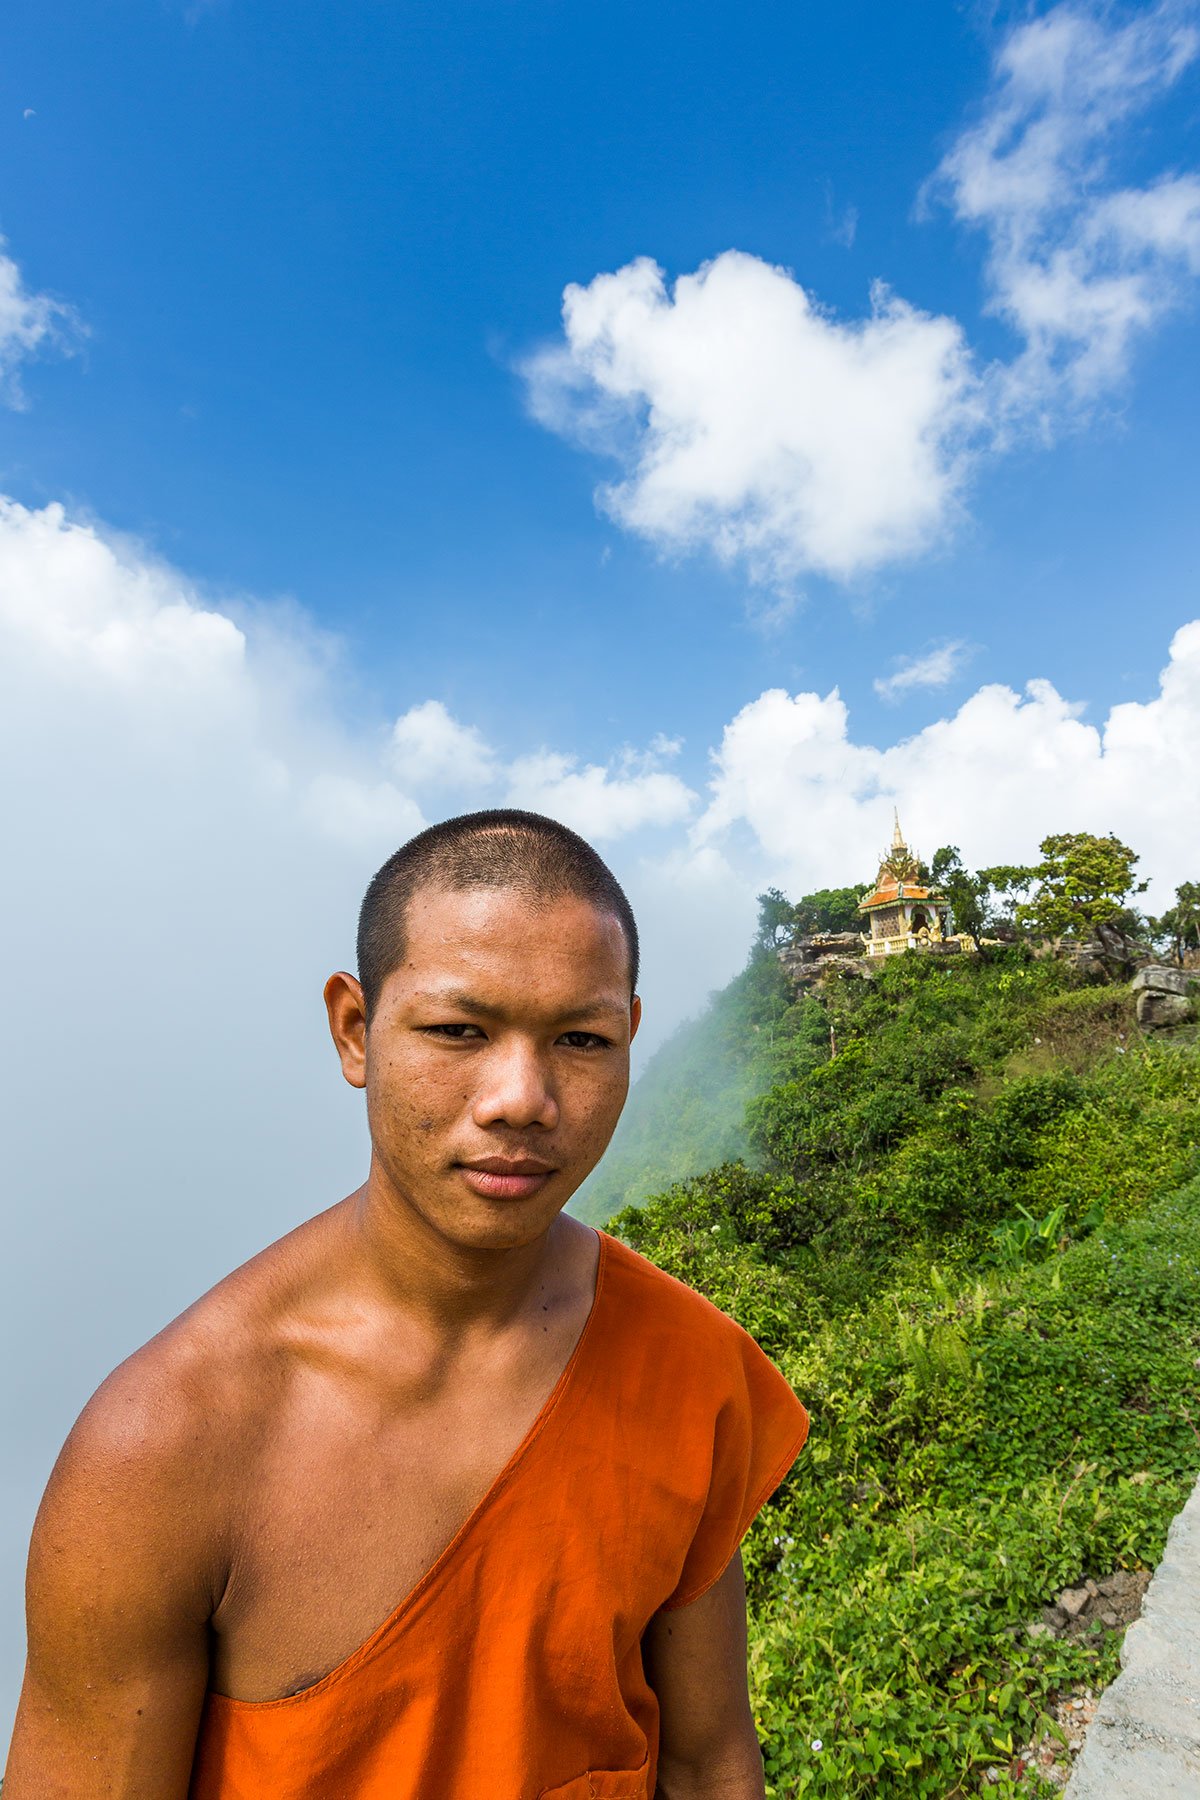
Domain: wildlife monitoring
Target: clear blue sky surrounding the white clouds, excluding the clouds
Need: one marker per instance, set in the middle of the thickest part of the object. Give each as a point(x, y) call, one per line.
point(309, 247)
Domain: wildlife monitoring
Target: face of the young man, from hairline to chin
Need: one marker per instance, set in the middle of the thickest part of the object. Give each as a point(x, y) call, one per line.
point(499, 1059)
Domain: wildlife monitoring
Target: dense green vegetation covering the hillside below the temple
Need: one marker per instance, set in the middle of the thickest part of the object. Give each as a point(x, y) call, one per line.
point(971, 1241)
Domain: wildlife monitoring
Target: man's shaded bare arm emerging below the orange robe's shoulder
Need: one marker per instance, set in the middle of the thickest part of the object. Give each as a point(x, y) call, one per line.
point(697, 1666)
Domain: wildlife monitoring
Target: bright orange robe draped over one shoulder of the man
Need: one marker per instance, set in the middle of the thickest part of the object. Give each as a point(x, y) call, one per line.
point(514, 1671)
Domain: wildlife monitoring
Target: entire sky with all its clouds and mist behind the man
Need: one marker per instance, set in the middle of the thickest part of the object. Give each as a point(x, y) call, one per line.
point(713, 426)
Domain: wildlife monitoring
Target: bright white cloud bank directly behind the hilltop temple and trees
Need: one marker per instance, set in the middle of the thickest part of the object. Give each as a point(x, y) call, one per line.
point(801, 804)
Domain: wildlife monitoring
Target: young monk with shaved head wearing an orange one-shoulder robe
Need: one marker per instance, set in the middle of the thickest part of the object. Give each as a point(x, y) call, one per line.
point(438, 1498)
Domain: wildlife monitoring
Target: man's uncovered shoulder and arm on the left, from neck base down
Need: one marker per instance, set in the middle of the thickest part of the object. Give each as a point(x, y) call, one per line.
point(134, 1543)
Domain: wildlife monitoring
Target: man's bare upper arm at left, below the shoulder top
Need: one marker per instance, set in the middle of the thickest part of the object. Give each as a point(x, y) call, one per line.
point(120, 1603)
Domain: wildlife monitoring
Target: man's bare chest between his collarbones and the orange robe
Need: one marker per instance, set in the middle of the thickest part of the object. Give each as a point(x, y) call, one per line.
point(346, 1509)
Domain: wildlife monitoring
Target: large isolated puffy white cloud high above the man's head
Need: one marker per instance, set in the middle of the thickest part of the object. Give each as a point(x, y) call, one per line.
point(760, 426)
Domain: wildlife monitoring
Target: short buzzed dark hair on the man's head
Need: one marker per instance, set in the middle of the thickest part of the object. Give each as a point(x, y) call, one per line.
point(499, 849)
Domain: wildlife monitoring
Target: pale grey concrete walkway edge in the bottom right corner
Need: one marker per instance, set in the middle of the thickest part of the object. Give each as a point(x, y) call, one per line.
point(1145, 1740)
